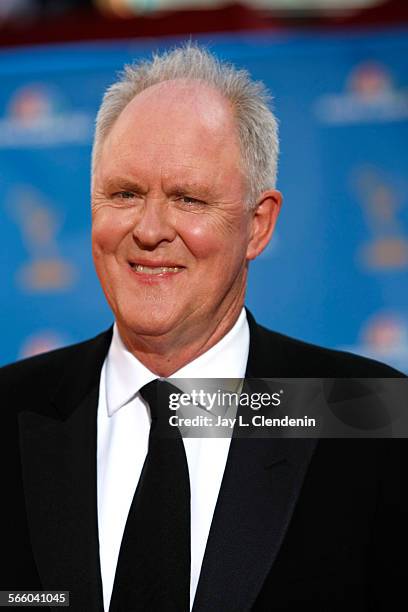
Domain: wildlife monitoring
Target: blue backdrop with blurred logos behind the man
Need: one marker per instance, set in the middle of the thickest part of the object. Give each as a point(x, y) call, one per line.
point(336, 272)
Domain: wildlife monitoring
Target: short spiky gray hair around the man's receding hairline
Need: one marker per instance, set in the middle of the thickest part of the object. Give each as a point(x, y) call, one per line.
point(257, 126)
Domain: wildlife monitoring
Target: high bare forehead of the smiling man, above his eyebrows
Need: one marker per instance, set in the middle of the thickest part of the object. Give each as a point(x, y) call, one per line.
point(177, 124)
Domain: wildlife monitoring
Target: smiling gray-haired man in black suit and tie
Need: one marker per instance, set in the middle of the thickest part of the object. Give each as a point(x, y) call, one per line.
point(183, 198)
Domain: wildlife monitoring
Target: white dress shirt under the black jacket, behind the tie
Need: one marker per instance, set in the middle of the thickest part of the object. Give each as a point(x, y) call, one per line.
point(123, 432)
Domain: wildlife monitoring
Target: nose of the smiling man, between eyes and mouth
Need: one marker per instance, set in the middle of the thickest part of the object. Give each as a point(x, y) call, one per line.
point(154, 225)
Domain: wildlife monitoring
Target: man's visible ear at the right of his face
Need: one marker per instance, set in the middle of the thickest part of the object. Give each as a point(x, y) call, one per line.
point(263, 221)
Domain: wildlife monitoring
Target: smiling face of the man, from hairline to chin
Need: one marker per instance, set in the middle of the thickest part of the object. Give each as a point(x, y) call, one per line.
point(171, 234)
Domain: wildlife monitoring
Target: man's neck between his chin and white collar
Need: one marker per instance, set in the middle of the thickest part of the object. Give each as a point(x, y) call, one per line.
point(166, 355)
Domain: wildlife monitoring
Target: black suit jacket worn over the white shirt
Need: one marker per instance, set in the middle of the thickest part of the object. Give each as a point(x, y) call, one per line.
point(299, 524)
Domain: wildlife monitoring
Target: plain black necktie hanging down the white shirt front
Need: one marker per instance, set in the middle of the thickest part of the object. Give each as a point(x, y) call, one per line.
point(153, 571)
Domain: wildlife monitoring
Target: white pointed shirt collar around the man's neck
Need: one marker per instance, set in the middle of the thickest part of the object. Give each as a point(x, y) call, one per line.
point(126, 375)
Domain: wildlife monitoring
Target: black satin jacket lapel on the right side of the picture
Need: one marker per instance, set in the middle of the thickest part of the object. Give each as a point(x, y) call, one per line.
point(260, 487)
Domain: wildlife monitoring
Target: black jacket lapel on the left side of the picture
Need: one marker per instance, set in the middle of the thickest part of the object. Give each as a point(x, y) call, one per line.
point(58, 452)
